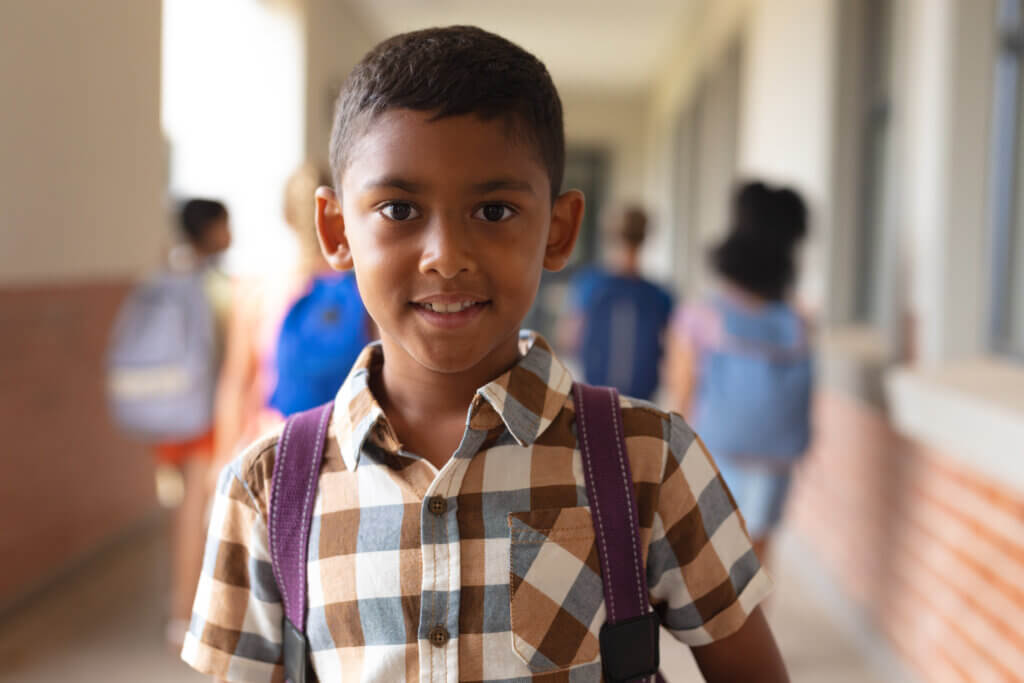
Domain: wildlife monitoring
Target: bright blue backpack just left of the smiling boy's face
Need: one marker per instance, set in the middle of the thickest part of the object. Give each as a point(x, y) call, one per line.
point(322, 337)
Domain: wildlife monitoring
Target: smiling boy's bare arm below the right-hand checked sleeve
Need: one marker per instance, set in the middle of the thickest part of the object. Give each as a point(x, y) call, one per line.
point(749, 655)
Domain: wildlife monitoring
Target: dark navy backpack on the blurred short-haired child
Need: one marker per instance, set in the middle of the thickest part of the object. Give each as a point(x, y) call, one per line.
point(621, 347)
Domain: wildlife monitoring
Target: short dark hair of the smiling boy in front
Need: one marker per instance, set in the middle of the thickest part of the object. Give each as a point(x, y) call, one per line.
point(453, 71)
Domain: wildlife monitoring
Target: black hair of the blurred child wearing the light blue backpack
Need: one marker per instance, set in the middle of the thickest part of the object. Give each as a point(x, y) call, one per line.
point(758, 255)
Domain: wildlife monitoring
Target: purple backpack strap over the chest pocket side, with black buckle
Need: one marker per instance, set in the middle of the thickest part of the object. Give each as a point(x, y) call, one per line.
point(630, 636)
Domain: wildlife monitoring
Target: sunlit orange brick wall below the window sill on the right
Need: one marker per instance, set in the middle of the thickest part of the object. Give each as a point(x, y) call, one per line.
point(930, 551)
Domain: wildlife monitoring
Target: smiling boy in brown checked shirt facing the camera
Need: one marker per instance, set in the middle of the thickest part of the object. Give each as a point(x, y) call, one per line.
point(448, 155)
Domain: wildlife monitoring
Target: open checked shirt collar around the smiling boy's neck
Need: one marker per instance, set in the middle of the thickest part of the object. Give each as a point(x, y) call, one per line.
point(527, 400)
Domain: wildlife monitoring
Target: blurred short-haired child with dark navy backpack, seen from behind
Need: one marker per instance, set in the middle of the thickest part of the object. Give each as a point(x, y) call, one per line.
point(617, 319)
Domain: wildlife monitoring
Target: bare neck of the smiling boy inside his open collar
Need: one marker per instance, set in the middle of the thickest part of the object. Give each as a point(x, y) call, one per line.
point(417, 401)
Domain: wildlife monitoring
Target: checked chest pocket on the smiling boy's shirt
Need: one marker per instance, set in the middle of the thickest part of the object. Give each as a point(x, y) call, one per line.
point(556, 589)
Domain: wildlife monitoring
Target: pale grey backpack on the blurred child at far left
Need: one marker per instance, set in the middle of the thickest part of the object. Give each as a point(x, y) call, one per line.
point(162, 360)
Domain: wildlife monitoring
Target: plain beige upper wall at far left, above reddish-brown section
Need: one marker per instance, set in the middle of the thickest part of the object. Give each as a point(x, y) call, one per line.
point(82, 161)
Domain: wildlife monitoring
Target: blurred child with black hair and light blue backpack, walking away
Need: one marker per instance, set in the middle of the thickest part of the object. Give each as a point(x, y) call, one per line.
point(740, 362)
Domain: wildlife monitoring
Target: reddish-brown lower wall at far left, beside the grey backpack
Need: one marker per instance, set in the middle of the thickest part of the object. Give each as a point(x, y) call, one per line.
point(68, 481)
